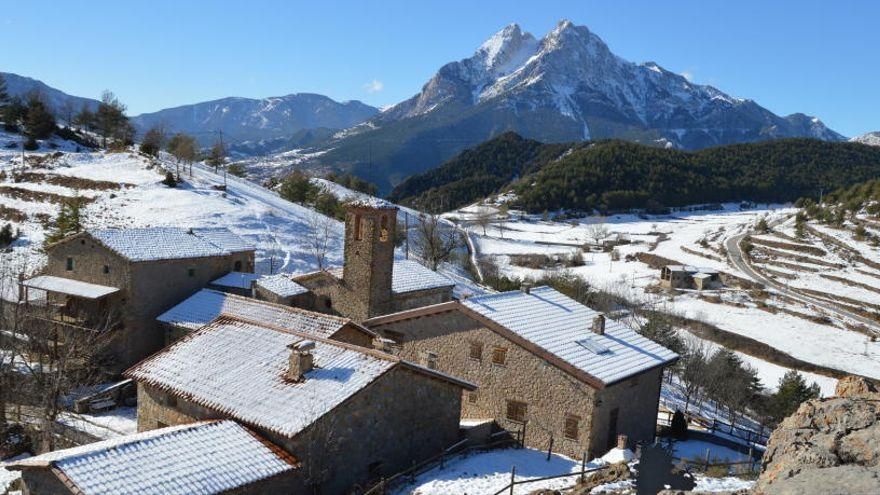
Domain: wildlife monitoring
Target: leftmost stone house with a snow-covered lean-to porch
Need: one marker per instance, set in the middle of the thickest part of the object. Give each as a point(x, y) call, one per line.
point(131, 276)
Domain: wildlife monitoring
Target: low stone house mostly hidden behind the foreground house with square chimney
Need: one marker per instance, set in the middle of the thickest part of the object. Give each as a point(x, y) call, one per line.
point(206, 305)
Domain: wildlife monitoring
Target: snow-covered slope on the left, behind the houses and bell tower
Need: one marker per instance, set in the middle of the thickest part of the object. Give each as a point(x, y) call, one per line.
point(278, 228)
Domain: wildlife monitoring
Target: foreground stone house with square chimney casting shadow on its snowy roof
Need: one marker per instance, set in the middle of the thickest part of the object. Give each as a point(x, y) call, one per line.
point(347, 414)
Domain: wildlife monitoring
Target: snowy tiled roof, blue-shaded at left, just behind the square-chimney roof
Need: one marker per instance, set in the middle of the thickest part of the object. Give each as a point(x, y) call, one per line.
point(206, 305)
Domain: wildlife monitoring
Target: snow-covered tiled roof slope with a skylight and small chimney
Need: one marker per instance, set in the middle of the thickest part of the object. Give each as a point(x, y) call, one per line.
point(562, 326)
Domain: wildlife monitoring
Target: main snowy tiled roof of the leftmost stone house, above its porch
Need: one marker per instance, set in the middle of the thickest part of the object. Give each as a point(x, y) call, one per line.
point(162, 243)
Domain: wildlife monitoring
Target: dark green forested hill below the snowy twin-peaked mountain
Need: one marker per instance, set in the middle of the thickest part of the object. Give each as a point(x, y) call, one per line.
point(613, 175)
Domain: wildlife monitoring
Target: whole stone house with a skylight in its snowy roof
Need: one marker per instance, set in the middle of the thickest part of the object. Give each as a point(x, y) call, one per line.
point(543, 362)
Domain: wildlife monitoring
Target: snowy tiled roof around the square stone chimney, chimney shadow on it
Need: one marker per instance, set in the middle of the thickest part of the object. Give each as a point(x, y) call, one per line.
point(237, 369)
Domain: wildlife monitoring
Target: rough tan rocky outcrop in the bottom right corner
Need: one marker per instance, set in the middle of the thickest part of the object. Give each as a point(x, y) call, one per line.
point(828, 446)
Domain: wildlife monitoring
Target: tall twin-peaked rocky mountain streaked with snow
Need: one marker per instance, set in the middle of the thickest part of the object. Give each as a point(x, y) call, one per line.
point(566, 86)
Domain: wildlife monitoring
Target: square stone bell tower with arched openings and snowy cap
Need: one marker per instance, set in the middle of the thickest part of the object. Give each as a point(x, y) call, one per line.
point(369, 255)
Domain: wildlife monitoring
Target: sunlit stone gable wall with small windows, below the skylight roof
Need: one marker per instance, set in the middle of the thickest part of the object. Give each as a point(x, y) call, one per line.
point(551, 395)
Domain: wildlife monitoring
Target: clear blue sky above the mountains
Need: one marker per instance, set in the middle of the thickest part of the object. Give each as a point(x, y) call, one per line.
point(815, 57)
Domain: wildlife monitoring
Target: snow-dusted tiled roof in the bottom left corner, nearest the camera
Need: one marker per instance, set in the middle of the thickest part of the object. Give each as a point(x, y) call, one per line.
point(205, 457)
